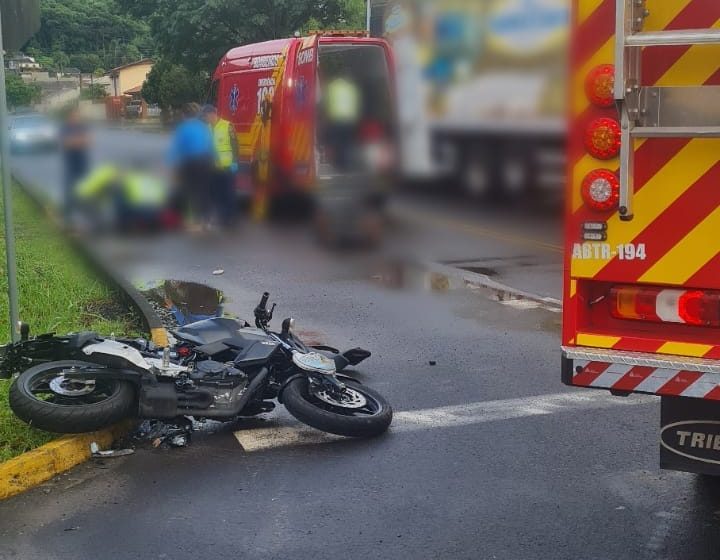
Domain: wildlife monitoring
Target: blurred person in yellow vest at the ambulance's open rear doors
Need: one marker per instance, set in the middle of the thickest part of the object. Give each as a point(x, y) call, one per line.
point(343, 110)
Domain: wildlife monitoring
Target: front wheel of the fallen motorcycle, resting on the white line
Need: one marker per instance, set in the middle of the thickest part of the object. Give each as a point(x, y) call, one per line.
point(359, 412)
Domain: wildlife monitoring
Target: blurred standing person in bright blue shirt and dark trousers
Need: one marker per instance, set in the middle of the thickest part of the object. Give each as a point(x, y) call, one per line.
point(192, 158)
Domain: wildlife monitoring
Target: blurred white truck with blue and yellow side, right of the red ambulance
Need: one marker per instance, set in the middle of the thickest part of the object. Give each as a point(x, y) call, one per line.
point(481, 88)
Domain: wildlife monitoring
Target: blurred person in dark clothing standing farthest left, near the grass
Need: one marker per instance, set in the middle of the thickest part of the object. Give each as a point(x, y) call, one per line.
point(75, 141)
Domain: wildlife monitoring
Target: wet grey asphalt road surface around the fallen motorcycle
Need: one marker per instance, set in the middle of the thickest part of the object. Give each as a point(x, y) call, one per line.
point(489, 457)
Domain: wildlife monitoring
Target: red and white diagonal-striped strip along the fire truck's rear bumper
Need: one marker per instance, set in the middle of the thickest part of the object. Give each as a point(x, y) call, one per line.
point(648, 380)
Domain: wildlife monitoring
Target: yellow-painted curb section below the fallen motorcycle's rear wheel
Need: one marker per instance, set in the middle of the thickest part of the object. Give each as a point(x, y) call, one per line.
point(39, 465)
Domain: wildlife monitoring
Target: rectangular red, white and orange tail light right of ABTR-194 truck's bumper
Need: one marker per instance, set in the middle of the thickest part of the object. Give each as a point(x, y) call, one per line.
point(687, 307)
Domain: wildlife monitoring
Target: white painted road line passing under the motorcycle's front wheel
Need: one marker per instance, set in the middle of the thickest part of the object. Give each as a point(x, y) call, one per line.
point(285, 432)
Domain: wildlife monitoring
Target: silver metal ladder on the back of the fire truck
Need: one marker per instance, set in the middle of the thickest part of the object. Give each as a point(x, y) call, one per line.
point(656, 112)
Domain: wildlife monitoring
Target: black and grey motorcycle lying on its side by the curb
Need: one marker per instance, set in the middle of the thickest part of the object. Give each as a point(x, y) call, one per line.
point(218, 369)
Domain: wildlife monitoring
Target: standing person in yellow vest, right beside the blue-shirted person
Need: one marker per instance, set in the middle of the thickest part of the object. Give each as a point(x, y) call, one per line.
point(226, 166)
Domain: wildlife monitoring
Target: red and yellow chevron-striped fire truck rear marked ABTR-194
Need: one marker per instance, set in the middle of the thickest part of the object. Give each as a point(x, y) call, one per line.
point(642, 270)
